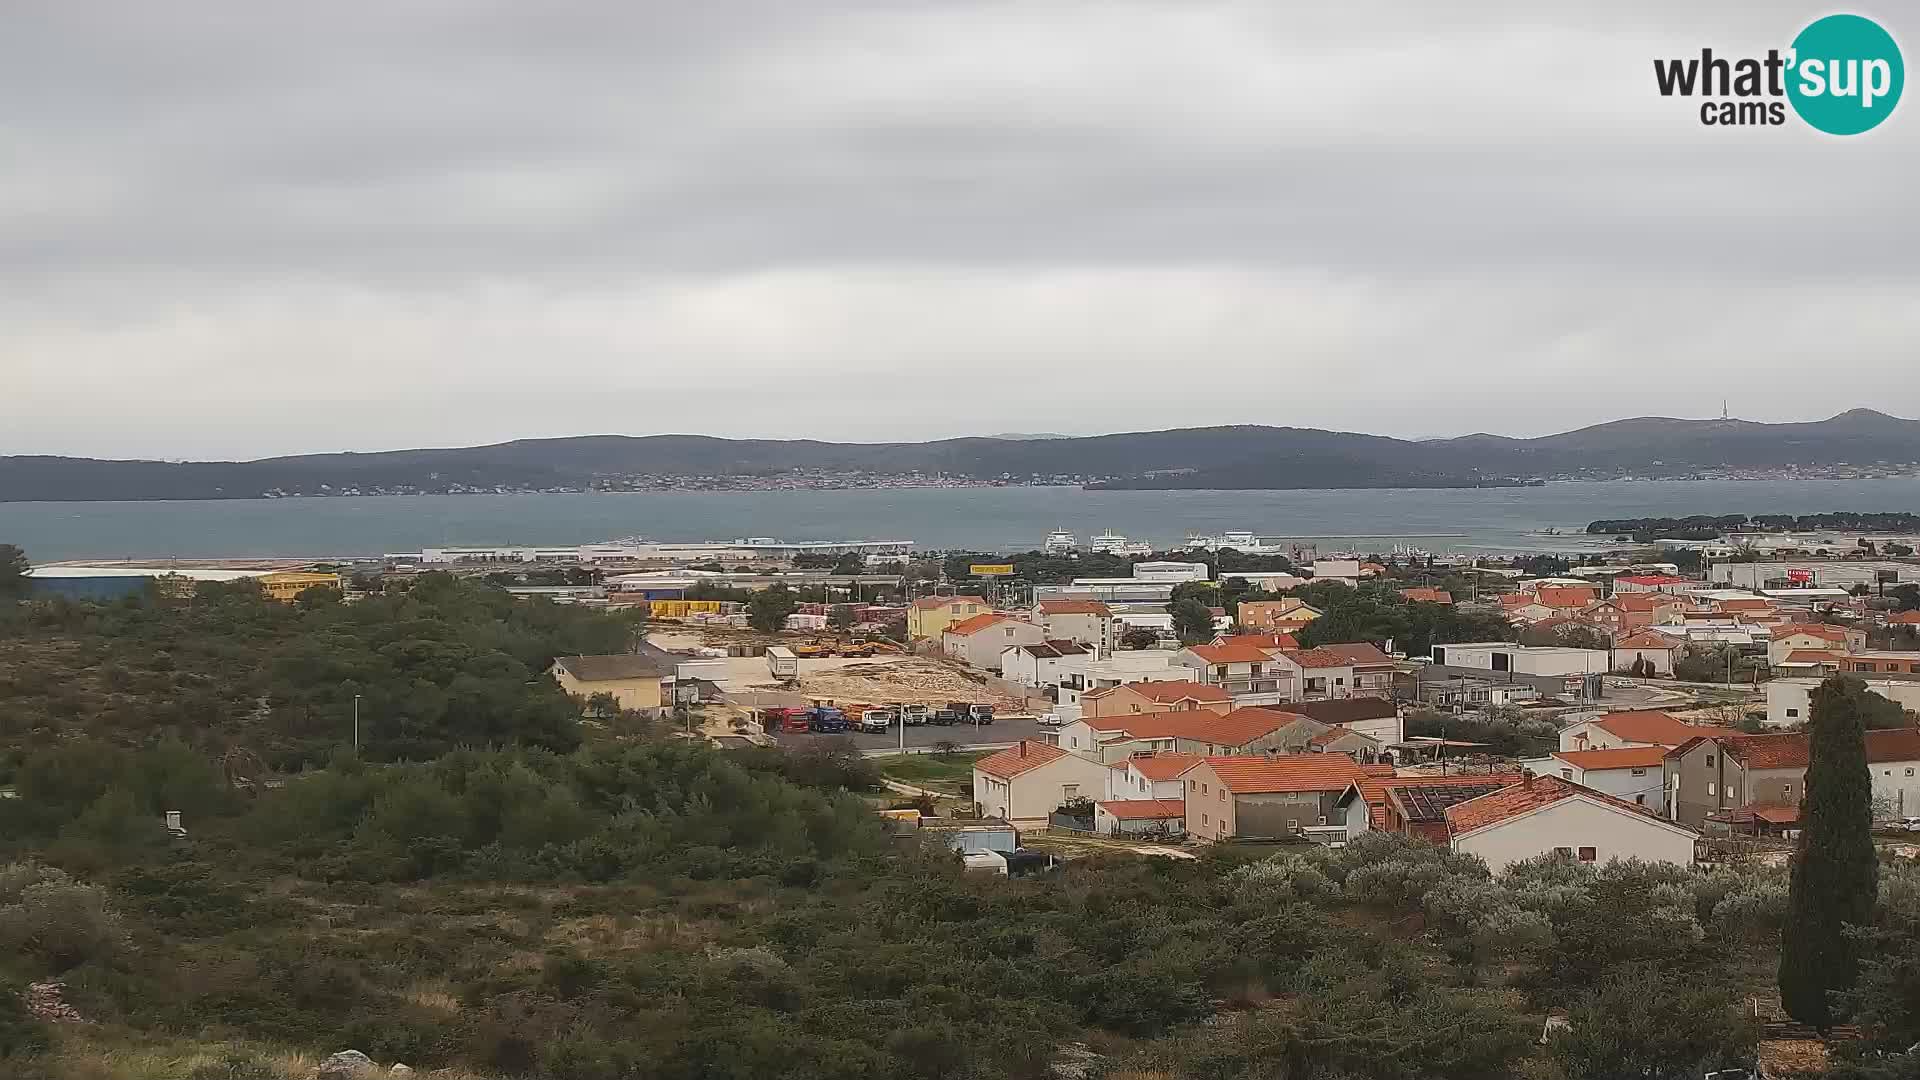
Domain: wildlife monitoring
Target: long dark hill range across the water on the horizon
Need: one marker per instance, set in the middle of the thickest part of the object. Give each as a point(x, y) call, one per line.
point(1184, 458)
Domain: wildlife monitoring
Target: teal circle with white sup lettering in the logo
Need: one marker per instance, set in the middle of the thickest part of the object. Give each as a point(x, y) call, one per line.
point(1846, 74)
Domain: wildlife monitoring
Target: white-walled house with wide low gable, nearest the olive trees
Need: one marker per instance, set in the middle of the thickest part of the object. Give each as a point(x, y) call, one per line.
point(1550, 816)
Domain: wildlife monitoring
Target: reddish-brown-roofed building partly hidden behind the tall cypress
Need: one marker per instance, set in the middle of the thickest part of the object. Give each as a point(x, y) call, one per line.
point(1733, 772)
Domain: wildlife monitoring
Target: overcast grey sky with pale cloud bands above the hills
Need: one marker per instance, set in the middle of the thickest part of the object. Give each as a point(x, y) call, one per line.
point(243, 228)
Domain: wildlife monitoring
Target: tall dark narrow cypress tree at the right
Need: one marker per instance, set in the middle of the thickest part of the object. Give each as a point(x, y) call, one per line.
point(1835, 866)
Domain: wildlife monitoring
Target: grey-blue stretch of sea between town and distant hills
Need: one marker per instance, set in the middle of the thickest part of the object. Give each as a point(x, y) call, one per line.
point(1487, 520)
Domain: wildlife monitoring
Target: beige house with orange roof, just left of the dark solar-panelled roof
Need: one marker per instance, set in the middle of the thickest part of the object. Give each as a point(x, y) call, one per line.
point(1268, 797)
